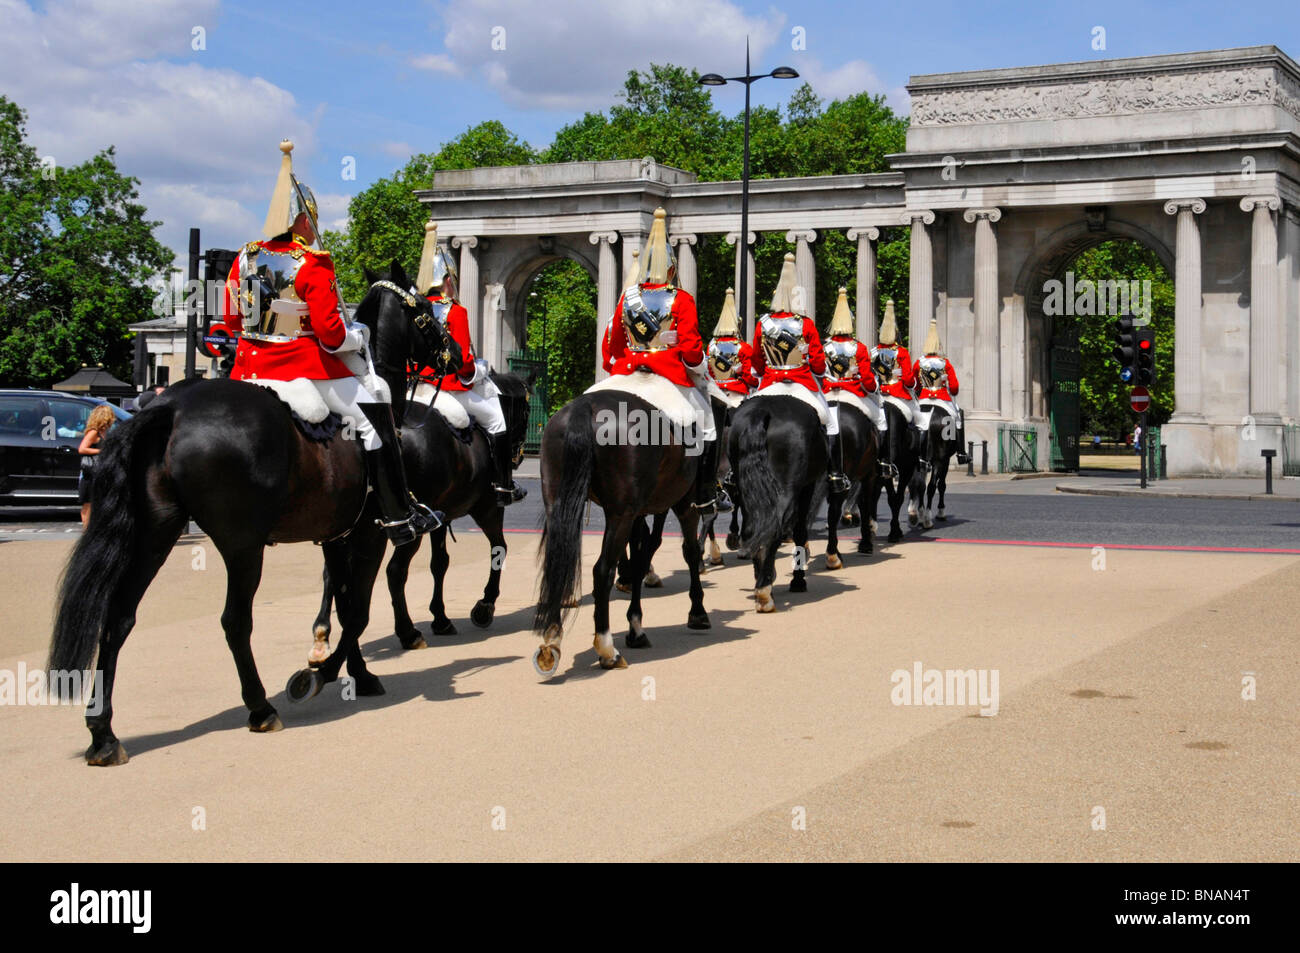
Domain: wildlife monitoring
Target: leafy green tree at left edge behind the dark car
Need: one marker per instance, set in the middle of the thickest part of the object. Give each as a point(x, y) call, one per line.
point(77, 258)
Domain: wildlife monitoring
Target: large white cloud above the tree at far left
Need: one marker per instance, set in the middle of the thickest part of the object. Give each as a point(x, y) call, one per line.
point(201, 140)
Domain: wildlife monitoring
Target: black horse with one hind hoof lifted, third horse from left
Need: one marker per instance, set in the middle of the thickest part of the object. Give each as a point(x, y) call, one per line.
point(629, 480)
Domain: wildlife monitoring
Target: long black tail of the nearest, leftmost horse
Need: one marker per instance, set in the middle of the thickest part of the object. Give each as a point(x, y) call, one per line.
point(93, 581)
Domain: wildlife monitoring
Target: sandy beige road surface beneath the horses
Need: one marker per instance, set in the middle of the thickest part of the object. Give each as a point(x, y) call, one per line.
point(1099, 707)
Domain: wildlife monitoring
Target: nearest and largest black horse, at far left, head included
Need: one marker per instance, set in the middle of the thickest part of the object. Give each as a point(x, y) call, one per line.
point(228, 456)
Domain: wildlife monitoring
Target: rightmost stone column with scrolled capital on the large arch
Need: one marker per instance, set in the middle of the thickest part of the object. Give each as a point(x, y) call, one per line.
point(1264, 306)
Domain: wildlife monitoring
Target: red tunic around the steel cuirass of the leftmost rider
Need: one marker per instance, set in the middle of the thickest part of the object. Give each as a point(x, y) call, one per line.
point(305, 357)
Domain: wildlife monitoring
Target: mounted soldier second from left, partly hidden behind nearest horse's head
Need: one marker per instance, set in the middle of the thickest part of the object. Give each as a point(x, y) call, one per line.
point(471, 384)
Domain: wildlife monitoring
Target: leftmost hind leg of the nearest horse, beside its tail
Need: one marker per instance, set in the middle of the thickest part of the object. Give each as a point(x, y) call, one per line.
point(105, 748)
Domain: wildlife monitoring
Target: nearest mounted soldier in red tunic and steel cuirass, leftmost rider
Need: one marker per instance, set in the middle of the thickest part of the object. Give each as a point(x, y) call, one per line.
point(283, 297)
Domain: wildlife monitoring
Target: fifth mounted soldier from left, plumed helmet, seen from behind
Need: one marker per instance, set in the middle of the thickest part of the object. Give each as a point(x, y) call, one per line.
point(787, 348)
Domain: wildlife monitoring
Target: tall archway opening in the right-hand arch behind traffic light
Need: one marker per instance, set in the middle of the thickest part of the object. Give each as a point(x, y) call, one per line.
point(1087, 402)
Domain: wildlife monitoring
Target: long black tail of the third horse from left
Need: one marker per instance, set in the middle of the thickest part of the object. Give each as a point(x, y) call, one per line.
point(562, 532)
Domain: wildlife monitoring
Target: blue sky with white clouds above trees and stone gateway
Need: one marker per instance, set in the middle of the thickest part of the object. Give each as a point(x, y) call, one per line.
point(376, 81)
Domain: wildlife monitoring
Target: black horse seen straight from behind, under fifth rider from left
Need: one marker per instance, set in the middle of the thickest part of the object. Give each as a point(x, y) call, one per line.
point(778, 449)
